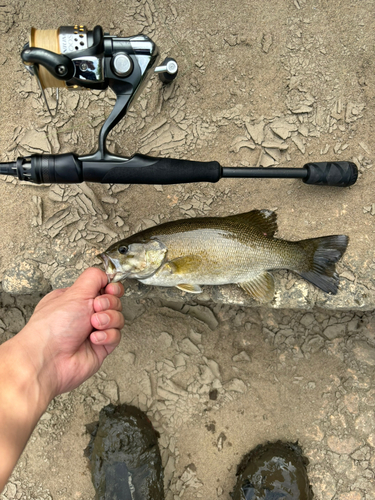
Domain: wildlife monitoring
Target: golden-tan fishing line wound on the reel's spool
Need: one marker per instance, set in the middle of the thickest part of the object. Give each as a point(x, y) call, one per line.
point(49, 40)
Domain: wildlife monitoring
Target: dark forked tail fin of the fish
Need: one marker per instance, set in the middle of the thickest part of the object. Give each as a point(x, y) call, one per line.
point(321, 255)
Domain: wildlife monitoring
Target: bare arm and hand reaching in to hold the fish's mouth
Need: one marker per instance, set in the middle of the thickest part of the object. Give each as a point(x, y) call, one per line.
point(65, 342)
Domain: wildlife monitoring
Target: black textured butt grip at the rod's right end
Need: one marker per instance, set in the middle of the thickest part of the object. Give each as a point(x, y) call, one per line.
point(338, 173)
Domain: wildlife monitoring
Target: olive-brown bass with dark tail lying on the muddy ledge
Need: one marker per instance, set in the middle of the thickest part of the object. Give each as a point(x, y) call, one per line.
point(239, 249)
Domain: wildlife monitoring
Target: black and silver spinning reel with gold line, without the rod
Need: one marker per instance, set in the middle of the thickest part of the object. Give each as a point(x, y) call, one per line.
point(75, 58)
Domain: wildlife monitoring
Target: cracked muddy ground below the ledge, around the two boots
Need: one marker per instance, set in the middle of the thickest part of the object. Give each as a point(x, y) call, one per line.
point(216, 381)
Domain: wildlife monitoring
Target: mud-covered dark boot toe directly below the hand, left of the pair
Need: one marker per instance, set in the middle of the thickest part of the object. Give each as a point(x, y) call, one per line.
point(124, 455)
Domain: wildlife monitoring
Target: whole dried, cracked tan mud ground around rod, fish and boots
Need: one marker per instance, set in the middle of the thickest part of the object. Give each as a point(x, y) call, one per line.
point(260, 83)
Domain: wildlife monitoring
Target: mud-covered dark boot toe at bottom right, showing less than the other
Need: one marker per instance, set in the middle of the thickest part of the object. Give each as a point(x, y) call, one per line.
point(274, 471)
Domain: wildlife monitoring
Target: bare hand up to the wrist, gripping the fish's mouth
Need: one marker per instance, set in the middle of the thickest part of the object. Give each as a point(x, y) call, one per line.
point(72, 331)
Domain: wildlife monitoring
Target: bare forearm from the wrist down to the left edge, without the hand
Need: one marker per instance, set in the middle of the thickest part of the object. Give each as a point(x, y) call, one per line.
point(21, 404)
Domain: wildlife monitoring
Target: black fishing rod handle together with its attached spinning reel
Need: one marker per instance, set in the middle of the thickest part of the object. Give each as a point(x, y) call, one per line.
point(74, 57)
